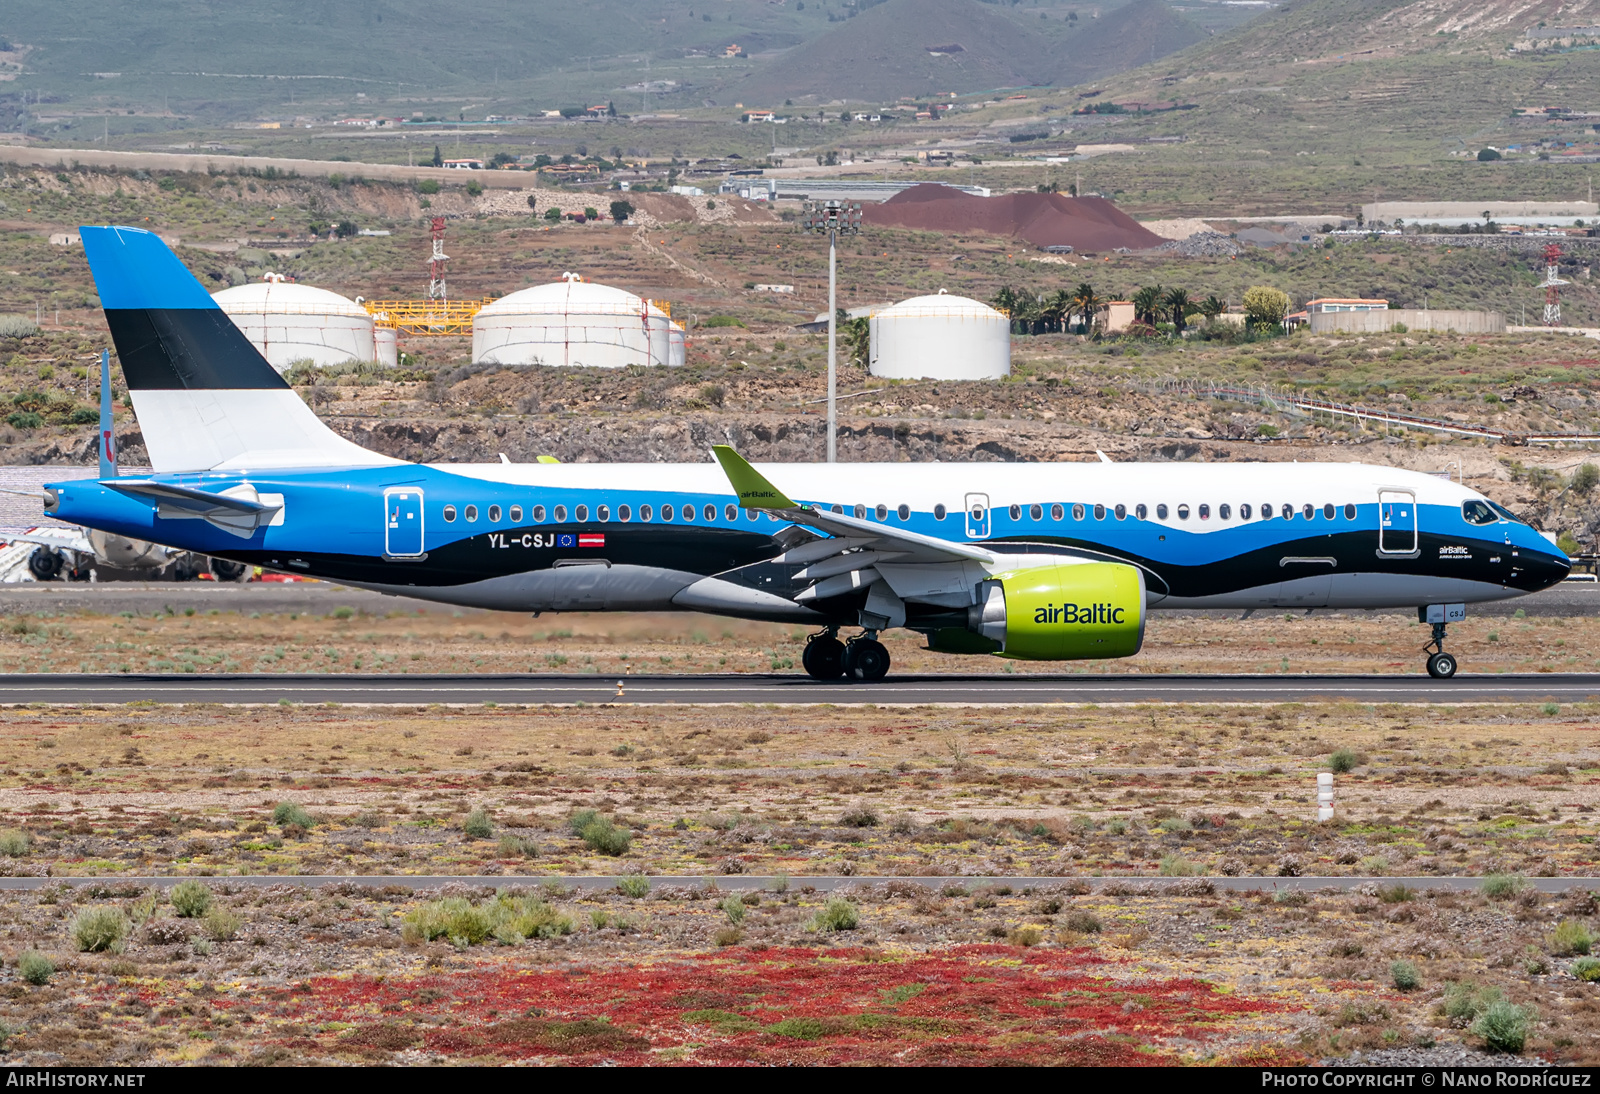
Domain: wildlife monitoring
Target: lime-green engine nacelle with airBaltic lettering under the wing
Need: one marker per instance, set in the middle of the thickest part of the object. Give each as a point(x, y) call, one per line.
point(1066, 612)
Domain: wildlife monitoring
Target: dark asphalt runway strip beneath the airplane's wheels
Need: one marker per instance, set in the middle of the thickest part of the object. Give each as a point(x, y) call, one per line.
point(988, 690)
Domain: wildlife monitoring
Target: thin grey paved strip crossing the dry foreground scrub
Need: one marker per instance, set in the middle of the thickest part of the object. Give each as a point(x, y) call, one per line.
point(818, 884)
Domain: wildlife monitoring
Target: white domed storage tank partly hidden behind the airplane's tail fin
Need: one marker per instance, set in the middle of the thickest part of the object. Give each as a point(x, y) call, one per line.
point(290, 322)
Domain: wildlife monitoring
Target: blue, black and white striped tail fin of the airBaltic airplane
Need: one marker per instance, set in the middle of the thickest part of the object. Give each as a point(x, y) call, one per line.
point(206, 397)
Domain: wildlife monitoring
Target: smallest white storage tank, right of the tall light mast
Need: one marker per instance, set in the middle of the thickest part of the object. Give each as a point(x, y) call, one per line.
point(940, 338)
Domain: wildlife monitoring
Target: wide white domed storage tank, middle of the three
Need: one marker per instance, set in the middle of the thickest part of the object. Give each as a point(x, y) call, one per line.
point(575, 322)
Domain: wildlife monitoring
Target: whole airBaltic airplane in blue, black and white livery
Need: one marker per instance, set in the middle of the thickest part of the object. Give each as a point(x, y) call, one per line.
point(1047, 562)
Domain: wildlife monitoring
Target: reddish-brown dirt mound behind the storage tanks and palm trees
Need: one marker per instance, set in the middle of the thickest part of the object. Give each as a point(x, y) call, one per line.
point(1041, 220)
